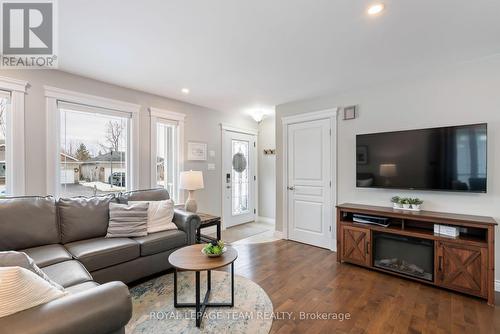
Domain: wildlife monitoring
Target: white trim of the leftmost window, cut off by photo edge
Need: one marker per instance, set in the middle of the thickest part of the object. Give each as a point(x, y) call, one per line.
point(15, 151)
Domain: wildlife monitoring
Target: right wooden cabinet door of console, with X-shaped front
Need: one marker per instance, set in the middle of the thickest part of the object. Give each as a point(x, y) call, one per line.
point(462, 267)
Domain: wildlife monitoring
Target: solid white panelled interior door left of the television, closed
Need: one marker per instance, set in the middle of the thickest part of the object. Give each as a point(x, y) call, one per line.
point(309, 182)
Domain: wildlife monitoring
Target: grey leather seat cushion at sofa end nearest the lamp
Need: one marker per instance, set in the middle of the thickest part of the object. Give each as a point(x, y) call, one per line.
point(161, 241)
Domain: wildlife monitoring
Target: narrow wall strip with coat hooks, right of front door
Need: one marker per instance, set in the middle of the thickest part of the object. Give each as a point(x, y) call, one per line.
point(267, 168)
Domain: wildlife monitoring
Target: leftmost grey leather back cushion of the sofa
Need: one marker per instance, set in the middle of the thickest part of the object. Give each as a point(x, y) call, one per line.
point(27, 222)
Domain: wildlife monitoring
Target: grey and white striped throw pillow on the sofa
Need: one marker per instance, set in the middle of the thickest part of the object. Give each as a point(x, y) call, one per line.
point(127, 220)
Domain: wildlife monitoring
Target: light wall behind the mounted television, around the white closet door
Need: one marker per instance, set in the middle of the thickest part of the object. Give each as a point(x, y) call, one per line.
point(463, 94)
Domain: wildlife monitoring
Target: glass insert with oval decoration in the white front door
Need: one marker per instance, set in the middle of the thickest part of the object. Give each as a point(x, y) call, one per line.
point(240, 177)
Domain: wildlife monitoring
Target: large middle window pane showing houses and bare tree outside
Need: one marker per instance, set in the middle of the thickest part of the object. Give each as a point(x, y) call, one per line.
point(93, 153)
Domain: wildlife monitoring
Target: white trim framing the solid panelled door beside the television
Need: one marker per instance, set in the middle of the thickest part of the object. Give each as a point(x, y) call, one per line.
point(330, 114)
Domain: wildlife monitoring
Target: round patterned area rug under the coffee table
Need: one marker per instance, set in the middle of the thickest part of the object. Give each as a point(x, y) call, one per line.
point(154, 311)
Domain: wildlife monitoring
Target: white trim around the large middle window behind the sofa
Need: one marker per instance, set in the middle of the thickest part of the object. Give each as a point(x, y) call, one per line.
point(52, 96)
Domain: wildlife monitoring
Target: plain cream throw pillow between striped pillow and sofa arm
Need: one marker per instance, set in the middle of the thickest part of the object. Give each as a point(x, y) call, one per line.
point(160, 215)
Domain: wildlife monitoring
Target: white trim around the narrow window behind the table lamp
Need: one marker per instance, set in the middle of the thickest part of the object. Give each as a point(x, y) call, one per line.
point(162, 115)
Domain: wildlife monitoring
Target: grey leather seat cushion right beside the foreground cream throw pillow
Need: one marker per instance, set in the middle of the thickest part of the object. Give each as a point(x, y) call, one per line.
point(68, 273)
